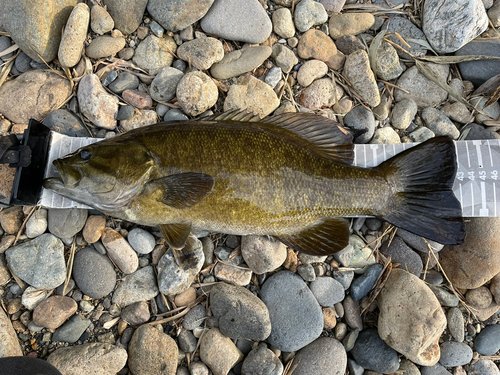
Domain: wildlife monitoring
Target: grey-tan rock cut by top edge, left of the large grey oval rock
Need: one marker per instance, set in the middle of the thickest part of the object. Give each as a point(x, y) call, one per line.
point(176, 15)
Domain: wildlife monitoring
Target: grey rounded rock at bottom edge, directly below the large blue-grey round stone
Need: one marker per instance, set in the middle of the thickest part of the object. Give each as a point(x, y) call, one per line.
point(324, 356)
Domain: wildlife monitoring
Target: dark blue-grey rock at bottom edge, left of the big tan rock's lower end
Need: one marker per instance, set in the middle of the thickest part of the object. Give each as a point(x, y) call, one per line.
point(372, 353)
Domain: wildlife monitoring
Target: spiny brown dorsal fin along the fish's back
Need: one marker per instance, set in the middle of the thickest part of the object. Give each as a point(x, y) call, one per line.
point(320, 134)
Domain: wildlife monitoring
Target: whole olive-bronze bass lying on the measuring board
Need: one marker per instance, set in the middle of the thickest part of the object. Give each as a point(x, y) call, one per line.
point(289, 176)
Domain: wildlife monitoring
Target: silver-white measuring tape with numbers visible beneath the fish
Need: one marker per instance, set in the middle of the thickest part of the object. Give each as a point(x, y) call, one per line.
point(476, 183)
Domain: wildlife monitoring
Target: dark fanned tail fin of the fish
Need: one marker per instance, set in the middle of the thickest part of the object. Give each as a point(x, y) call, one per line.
point(424, 203)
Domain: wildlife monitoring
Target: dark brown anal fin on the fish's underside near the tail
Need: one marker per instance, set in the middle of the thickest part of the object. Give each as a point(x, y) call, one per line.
point(324, 238)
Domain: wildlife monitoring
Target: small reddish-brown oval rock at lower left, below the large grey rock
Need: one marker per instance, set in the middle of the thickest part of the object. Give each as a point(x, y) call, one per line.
point(54, 311)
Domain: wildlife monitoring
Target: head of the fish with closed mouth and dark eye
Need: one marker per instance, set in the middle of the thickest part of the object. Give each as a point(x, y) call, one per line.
point(105, 176)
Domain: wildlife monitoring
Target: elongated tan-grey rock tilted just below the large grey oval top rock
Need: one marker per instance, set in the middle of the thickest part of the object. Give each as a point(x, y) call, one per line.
point(240, 61)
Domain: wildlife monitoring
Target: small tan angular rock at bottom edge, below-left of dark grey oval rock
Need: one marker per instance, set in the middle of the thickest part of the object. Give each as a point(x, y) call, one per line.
point(219, 352)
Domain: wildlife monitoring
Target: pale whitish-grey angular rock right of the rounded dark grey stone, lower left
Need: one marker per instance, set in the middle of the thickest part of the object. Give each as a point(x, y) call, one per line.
point(137, 287)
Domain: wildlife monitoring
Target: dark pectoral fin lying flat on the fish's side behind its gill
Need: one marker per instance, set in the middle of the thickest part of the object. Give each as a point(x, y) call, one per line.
point(184, 190)
